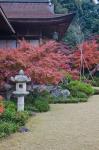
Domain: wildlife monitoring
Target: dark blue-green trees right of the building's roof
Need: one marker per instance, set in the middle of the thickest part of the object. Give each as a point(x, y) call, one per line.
point(85, 23)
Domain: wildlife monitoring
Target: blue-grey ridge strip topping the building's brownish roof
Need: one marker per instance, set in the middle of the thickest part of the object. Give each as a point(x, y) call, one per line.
point(33, 1)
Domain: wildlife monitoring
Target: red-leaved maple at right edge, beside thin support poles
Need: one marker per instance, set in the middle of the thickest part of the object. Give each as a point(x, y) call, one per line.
point(90, 51)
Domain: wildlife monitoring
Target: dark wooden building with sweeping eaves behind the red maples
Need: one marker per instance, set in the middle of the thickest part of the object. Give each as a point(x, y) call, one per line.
point(33, 20)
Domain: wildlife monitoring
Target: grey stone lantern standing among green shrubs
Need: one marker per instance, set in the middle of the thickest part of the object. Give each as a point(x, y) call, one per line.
point(21, 79)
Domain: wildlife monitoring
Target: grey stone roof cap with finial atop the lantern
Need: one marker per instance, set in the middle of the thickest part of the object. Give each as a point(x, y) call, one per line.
point(20, 78)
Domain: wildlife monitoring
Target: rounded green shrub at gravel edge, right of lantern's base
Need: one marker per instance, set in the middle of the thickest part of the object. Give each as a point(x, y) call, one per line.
point(42, 105)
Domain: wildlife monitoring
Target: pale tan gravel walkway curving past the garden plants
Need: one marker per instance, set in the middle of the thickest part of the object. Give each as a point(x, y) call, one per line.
point(65, 127)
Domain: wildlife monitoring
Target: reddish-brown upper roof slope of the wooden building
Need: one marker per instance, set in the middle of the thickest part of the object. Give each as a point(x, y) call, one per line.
point(29, 10)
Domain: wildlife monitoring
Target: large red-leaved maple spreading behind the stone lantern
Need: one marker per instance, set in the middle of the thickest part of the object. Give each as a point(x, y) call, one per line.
point(44, 64)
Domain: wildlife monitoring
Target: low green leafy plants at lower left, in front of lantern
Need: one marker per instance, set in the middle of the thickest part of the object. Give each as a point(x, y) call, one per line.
point(10, 119)
